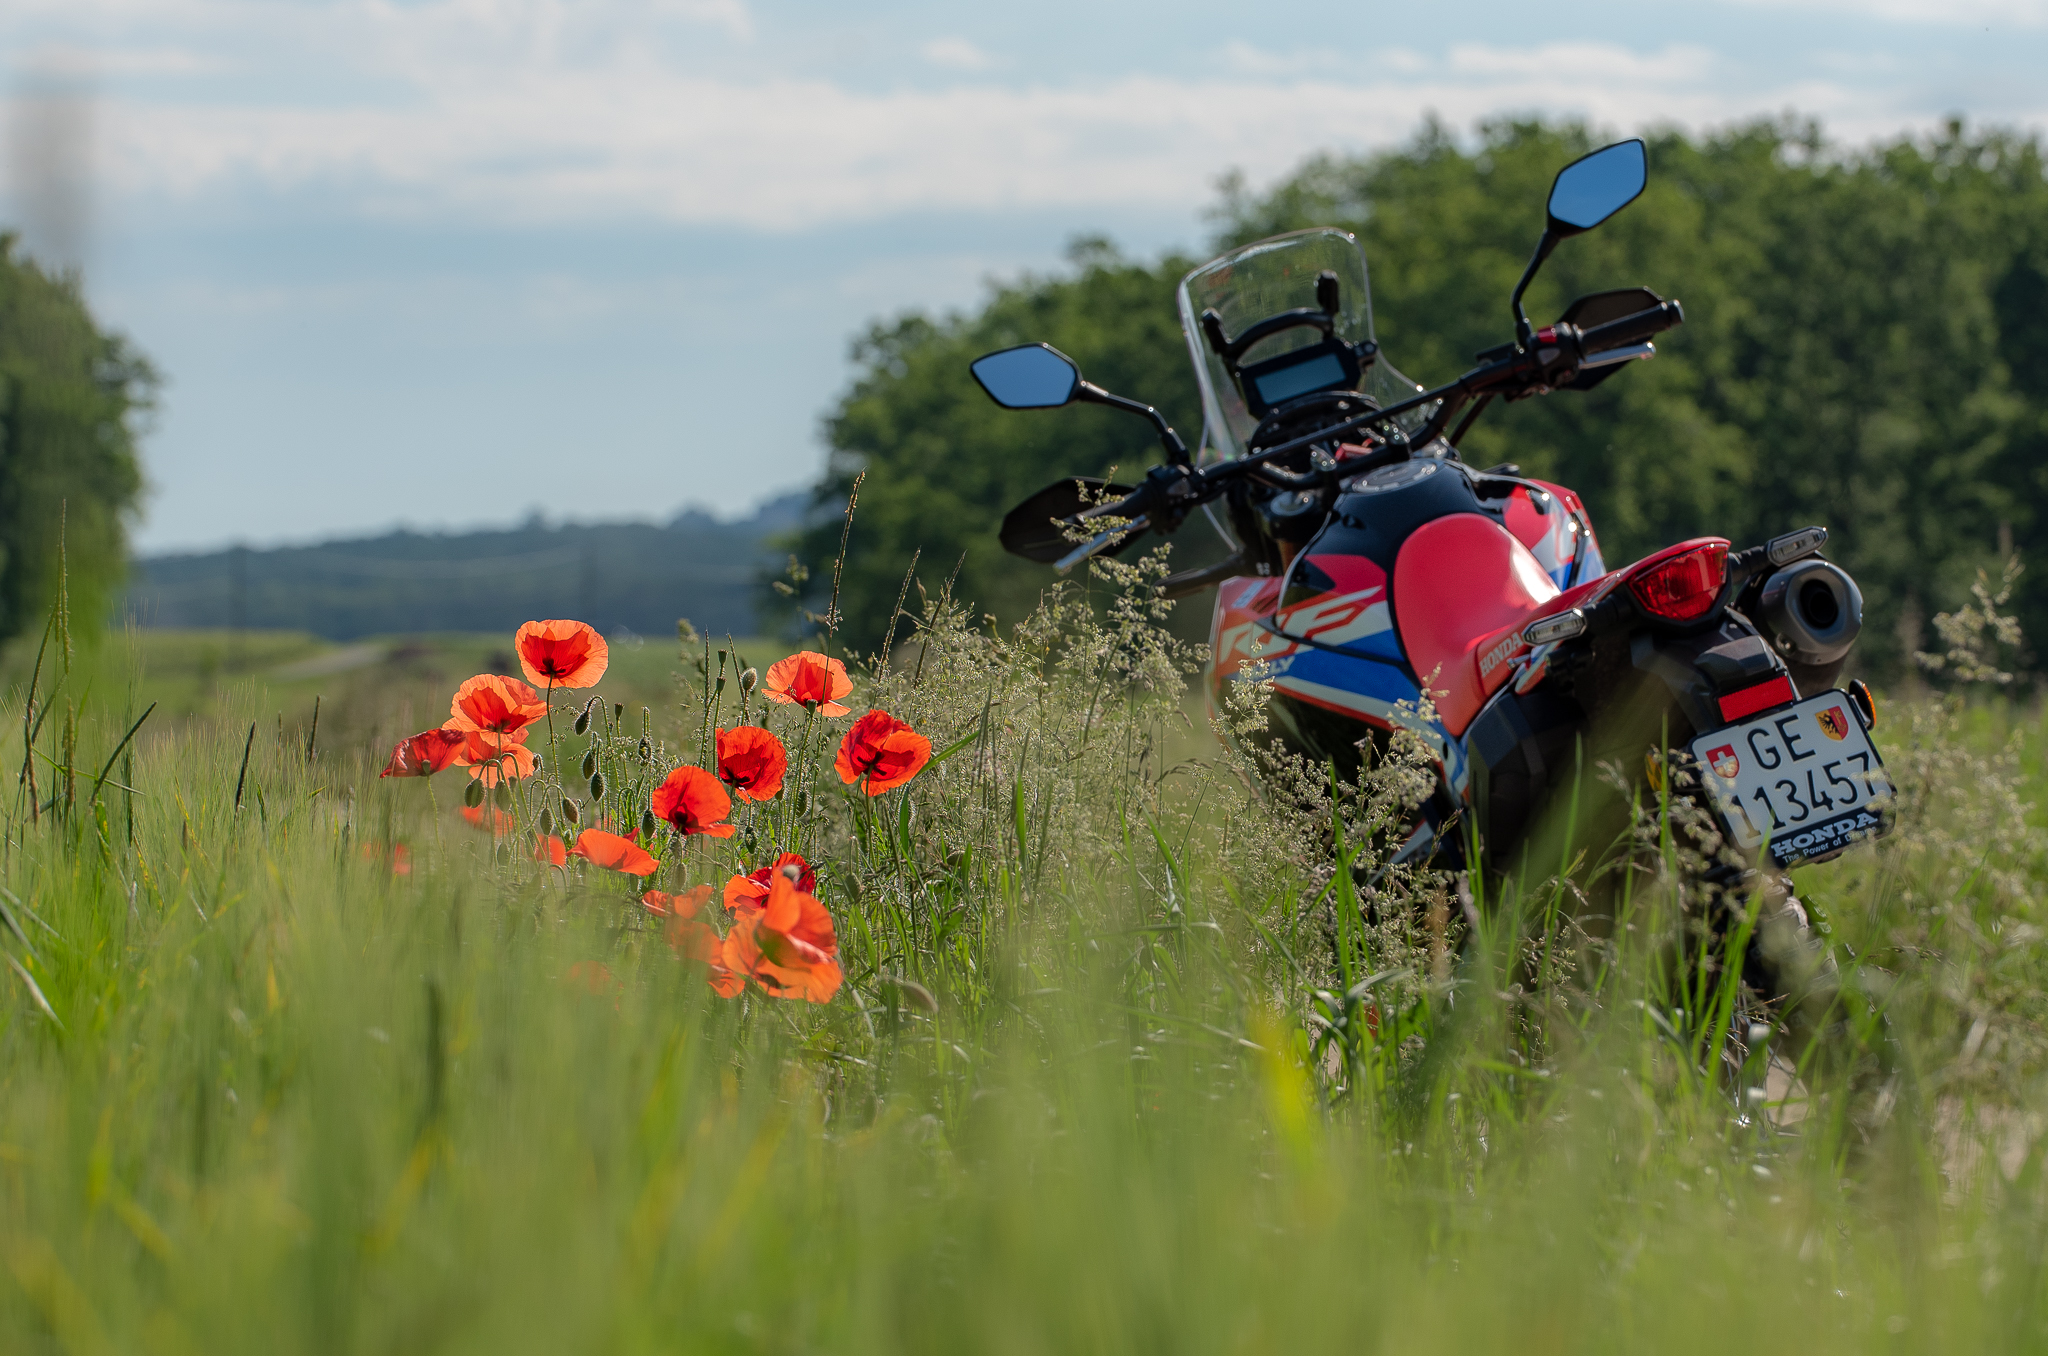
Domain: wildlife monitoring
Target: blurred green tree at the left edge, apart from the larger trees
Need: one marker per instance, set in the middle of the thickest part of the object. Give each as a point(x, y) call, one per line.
point(69, 470)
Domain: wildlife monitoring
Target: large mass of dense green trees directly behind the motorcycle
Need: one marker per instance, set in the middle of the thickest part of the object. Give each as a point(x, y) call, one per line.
point(1867, 347)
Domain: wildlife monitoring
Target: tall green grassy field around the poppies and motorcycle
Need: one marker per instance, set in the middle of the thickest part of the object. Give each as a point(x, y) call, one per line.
point(296, 1058)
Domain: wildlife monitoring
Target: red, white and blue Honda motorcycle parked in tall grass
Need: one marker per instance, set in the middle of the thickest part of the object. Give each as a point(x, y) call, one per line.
point(1385, 585)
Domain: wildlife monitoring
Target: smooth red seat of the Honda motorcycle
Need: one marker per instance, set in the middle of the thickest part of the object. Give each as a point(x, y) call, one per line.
point(1463, 589)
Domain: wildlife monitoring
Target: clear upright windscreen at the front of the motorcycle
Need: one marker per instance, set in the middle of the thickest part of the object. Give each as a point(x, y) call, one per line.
point(1265, 280)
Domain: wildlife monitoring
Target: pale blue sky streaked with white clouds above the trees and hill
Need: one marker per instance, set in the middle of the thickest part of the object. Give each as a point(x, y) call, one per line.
point(447, 263)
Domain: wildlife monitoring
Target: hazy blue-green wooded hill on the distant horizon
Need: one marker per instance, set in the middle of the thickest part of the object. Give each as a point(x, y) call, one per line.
point(617, 577)
